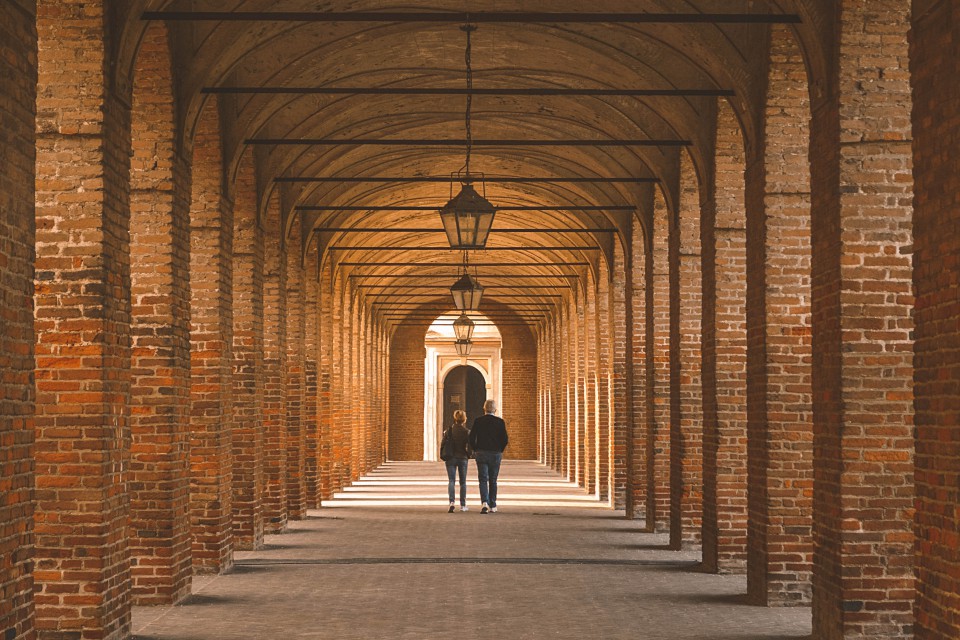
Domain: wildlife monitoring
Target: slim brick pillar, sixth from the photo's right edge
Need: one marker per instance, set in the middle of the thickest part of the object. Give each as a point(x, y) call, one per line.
point(658, 372)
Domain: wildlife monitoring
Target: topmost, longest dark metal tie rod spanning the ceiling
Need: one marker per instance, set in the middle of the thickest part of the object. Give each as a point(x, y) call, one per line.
point(486, 17)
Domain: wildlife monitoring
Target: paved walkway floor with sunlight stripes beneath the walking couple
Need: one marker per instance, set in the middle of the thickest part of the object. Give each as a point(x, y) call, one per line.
point(385, 560)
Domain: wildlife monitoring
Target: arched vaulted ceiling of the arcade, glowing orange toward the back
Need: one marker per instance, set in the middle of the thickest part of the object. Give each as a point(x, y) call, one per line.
point(597, 157)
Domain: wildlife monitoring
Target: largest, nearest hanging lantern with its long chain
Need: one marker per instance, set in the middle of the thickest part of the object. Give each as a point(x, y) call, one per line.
point(468, 216)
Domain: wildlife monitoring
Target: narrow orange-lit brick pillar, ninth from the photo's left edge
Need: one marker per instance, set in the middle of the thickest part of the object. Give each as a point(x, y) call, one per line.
point(324, 382)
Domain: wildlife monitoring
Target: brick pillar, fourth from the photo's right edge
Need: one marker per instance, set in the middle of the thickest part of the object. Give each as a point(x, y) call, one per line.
point(724, 374)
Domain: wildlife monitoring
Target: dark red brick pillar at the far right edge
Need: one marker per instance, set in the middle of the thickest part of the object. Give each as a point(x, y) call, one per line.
point(935, 55)
